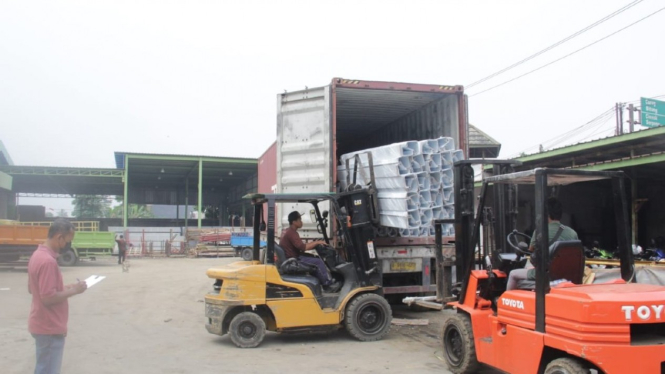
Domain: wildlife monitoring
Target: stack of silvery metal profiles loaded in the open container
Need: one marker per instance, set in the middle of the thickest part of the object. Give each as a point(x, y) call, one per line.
point(414, 183)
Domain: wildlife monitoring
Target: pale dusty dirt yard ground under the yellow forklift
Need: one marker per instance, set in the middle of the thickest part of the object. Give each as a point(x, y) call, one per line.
point(151, 320)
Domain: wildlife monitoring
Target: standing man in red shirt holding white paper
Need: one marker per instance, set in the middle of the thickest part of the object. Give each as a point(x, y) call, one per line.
point(49, 311)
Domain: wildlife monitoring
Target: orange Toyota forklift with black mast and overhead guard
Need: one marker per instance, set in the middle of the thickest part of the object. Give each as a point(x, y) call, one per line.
point(556, 324)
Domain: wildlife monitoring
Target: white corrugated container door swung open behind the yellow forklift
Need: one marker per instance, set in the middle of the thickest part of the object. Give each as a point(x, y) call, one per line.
point(304, 149)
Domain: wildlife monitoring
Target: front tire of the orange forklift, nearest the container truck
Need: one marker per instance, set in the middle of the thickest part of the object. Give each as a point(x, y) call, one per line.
point(458, 345)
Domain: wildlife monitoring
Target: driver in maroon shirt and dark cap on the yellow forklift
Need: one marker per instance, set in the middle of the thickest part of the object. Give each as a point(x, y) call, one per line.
point(294, 247)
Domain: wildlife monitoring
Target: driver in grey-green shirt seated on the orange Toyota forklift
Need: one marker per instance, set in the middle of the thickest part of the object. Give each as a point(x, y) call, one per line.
point(556, 231)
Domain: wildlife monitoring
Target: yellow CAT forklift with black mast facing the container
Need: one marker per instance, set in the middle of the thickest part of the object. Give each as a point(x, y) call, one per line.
point(270, 293)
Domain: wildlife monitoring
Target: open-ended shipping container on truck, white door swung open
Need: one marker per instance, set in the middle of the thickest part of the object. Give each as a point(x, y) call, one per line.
point(316, 126)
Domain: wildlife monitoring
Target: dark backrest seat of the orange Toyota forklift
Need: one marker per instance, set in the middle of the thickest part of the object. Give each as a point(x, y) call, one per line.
point(566, 262)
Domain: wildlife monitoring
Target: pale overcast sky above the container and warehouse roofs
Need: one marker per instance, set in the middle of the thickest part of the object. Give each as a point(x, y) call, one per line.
point(82, 79)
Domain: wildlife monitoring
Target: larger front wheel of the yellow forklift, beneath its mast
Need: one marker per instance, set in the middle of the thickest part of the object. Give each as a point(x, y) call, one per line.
point(368, 317)
